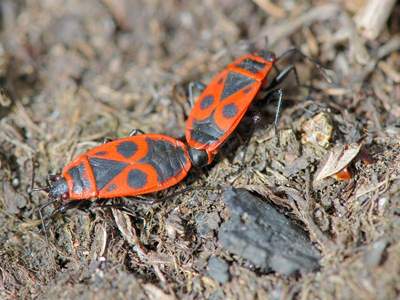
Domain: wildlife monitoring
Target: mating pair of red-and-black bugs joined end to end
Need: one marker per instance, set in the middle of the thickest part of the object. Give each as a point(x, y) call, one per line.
point(146, 163)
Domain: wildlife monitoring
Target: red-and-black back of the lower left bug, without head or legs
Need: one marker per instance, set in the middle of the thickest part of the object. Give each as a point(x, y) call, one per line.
point(128, 167)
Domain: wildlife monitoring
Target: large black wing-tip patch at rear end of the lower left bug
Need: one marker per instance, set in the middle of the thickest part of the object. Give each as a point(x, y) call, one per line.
point(167, 159)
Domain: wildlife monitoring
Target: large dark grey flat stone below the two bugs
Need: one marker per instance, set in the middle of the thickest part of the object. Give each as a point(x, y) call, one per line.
point(257, 232)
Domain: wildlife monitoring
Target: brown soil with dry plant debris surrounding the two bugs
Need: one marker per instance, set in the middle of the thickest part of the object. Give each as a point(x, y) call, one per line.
point(75, 72)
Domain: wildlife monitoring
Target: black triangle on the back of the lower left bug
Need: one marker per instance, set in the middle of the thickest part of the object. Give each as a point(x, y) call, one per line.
point(105, 170)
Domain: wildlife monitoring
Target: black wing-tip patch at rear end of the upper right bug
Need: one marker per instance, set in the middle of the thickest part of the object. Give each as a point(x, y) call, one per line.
point(206, 131)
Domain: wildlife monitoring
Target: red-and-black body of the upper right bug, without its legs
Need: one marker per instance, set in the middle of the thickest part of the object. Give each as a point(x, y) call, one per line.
point(223, 103)
